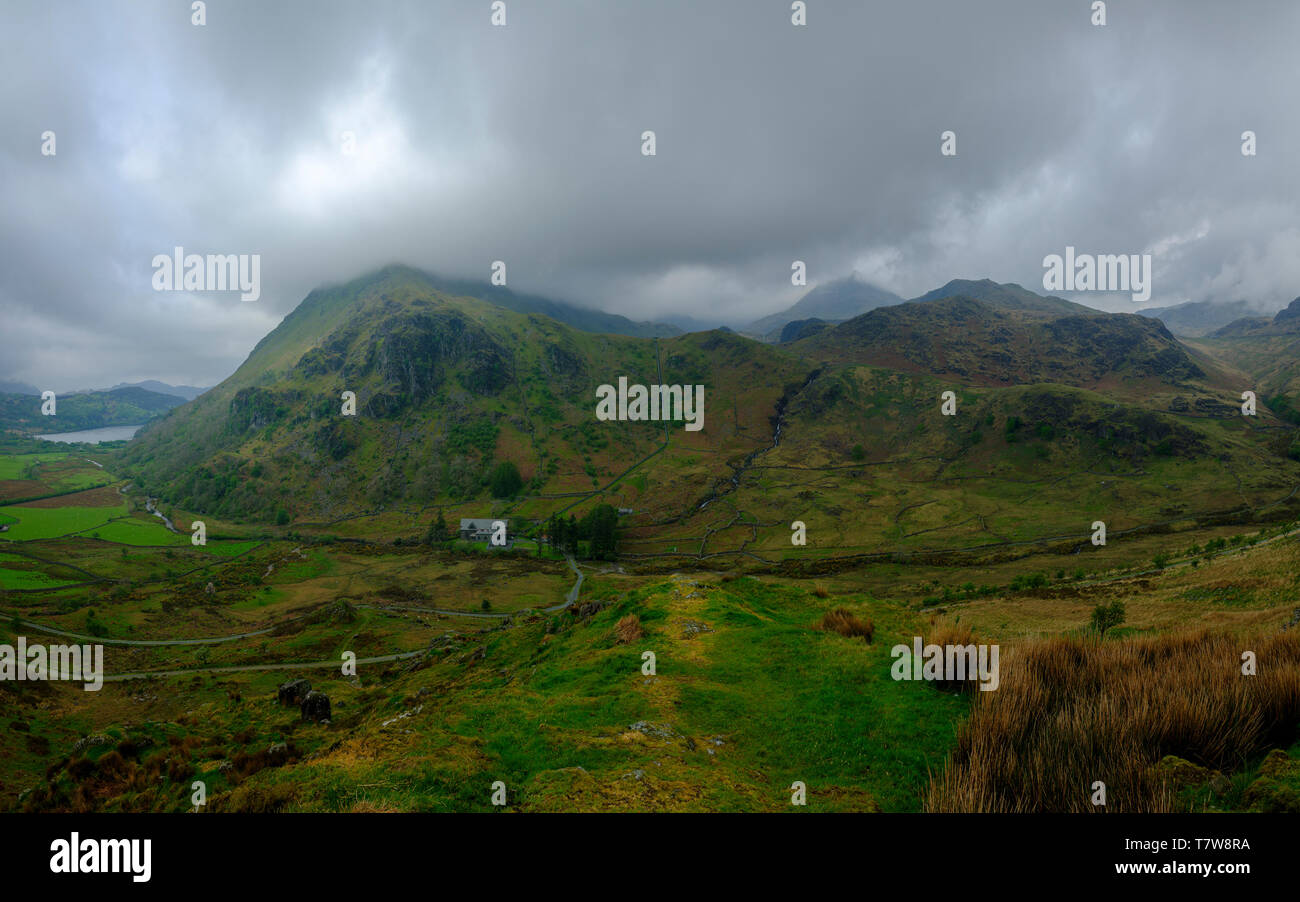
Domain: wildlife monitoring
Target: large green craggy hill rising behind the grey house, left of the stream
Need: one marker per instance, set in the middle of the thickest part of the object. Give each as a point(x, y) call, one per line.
point(445, 387)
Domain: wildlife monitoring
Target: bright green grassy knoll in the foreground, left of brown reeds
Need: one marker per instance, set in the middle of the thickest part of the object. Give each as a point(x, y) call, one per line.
point(567, 721)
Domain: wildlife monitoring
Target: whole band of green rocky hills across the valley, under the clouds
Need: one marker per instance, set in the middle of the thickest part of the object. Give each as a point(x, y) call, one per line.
point(1061, 420)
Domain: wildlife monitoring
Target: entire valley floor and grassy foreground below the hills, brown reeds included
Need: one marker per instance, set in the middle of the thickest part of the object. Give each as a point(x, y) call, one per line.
point(677, 687)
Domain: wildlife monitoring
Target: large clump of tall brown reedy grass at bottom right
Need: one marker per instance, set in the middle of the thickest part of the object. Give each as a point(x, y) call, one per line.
point(1073, 712)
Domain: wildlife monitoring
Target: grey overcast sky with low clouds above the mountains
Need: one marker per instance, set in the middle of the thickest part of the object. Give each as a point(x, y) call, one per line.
point(523, 144)
